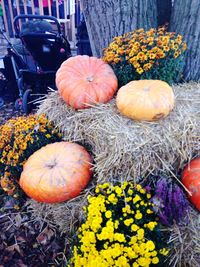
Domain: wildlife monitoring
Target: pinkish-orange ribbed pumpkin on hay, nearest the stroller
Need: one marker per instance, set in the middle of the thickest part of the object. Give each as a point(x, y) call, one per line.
point(84, 80)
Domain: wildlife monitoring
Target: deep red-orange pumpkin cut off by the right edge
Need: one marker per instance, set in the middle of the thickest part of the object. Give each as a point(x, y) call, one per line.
point(191, 180)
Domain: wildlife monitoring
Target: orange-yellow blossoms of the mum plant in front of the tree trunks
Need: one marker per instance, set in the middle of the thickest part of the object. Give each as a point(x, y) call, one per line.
point(143, 49)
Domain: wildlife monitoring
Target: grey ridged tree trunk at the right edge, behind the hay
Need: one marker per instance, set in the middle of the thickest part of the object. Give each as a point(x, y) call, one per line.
point(186, 21)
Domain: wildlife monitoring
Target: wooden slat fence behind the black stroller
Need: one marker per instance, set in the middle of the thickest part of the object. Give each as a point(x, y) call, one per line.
point(66, 11)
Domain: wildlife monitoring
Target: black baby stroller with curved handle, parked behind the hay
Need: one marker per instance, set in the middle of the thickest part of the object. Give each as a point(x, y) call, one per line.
point(37, 58)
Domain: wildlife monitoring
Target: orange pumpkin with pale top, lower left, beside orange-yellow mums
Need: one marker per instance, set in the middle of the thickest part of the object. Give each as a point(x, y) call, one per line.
point(56, 172)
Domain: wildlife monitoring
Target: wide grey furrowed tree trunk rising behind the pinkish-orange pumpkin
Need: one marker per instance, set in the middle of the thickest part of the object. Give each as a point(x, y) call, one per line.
point(108, 18)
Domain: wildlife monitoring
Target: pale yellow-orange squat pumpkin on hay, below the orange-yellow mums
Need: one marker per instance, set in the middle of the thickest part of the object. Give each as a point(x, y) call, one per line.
point(147, 100)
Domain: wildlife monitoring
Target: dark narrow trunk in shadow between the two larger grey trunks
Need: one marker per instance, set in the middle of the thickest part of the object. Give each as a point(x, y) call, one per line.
point(164, 11)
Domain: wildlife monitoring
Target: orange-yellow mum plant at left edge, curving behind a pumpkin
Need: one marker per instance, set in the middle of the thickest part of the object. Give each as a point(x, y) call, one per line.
point(19, 138)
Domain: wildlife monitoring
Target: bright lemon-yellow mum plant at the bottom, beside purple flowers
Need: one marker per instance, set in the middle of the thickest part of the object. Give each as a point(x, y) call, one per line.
point(119, 229)
